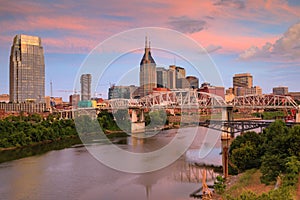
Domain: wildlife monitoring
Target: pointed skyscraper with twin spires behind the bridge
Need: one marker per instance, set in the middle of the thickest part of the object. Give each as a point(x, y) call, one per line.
point(148, 79)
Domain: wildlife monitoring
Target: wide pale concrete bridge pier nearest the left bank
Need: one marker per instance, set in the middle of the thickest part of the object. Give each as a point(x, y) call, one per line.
point(137, 120)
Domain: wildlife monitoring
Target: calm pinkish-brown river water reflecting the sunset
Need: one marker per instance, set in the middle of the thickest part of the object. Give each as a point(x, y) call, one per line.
point(73, 173)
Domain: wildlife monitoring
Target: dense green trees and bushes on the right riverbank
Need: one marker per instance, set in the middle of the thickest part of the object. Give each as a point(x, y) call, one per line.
point(275, 152)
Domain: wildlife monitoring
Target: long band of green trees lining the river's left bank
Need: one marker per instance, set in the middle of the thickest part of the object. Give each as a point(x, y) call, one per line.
point(33, 129)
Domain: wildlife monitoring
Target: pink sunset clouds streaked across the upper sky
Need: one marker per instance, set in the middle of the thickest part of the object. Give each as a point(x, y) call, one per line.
point(77, 21)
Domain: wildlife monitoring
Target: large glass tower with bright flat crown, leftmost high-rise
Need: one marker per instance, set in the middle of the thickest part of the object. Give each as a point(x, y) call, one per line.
point(27, 70)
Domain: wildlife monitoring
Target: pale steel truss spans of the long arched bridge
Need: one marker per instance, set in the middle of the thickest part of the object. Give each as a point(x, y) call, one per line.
point(202, 100)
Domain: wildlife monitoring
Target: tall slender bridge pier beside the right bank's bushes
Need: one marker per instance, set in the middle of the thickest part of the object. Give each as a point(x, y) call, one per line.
point(226, 139)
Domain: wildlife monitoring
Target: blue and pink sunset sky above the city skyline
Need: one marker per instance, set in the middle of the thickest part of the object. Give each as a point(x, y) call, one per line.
point(261, 37)
